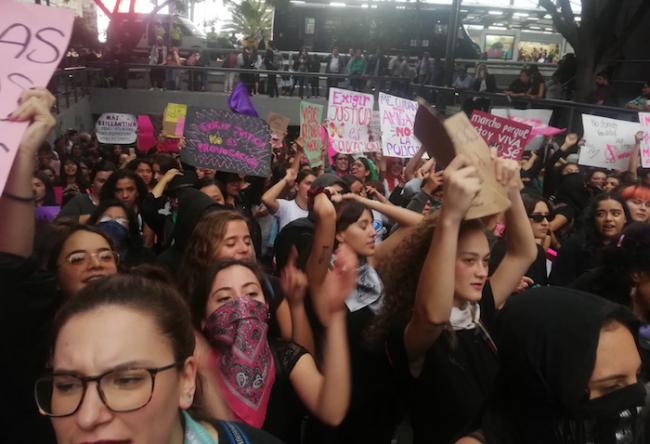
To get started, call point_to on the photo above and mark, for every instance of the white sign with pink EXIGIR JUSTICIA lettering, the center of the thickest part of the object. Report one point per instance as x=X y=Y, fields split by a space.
x=349 y=113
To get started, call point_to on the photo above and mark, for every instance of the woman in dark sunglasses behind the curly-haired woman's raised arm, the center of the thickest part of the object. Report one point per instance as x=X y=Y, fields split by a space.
x=539 y=215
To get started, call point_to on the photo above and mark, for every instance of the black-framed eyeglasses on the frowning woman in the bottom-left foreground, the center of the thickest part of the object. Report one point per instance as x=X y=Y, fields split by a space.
x=121 y=390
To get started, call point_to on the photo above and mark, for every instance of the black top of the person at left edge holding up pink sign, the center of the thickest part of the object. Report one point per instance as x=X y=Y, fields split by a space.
x=28 y=303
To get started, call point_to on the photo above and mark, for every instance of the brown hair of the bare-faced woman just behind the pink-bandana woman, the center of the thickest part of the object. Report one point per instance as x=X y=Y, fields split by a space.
x=202 y=247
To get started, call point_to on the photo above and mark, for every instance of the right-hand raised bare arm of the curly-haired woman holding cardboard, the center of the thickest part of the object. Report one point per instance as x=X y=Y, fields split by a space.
x=521 y=249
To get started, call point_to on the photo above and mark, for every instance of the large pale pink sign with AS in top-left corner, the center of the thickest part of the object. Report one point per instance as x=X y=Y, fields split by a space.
x=33 y=39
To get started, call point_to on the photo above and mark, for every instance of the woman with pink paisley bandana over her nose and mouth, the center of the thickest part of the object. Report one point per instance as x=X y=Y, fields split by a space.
x=258 y=375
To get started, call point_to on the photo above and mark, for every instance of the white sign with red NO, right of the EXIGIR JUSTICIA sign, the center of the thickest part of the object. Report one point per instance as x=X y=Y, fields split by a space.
x=397 y=116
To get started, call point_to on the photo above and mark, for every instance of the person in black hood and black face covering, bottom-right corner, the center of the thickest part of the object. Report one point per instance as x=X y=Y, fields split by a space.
x=568 y=372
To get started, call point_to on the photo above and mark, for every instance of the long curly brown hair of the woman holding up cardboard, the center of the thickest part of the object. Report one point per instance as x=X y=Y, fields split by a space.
x=400 y=273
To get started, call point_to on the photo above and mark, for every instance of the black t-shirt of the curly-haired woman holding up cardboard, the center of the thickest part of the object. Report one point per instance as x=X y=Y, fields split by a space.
x=447 y=399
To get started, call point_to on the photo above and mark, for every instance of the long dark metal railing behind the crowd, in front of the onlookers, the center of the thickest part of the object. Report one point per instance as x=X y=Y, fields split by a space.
x=71 y=84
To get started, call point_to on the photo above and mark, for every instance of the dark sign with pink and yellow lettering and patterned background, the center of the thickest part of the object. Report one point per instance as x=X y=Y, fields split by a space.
x=226 y=141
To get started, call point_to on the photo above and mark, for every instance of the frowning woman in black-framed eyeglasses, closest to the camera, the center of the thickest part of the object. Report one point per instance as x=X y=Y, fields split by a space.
x=122 y=370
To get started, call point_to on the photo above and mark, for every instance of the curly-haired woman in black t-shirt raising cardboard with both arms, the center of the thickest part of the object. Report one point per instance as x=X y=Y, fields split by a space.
x=440 y=332
